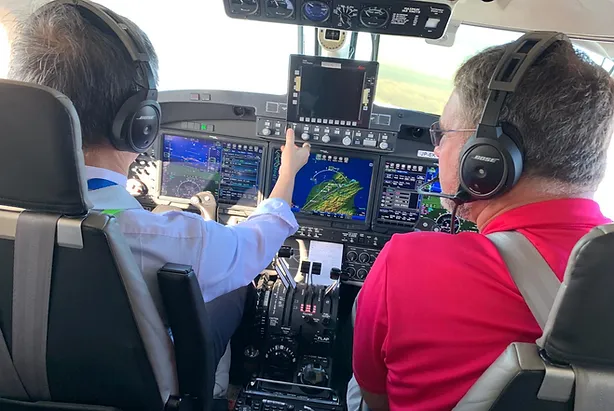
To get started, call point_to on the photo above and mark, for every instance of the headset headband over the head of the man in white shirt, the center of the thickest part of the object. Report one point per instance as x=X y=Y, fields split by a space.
x=108 y=21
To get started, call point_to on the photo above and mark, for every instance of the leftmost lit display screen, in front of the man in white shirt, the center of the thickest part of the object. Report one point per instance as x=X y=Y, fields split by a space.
x=230 y=171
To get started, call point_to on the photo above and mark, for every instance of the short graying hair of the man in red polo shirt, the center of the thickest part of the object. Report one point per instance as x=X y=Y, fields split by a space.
x=563 y=110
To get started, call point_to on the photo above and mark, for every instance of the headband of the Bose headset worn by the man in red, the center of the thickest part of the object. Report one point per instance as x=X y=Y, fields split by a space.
x=517 y=59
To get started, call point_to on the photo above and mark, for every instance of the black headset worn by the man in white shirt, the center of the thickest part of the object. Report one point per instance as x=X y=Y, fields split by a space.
x=137 y=123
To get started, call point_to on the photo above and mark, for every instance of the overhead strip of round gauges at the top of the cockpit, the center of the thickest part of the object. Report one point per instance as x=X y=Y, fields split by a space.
x=405 y=18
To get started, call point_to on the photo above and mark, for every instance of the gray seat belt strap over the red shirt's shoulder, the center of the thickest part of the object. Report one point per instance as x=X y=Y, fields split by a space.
x=533 y=276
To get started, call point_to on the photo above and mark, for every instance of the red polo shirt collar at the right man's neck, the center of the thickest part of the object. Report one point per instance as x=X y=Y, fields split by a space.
x=568 y=212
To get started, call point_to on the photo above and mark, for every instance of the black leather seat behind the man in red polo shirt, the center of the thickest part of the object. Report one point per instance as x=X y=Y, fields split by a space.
x=572 y=365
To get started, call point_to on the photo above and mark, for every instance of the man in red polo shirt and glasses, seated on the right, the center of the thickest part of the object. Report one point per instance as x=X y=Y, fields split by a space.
x=437 y=309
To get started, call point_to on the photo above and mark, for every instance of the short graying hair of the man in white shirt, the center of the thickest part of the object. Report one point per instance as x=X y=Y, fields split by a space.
x=56 y=47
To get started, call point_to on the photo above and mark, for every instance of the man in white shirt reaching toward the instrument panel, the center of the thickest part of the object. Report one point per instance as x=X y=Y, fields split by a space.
x=225 y=259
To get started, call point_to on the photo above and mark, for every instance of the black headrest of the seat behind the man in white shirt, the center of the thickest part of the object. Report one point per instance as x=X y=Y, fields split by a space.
x=42 y=166
